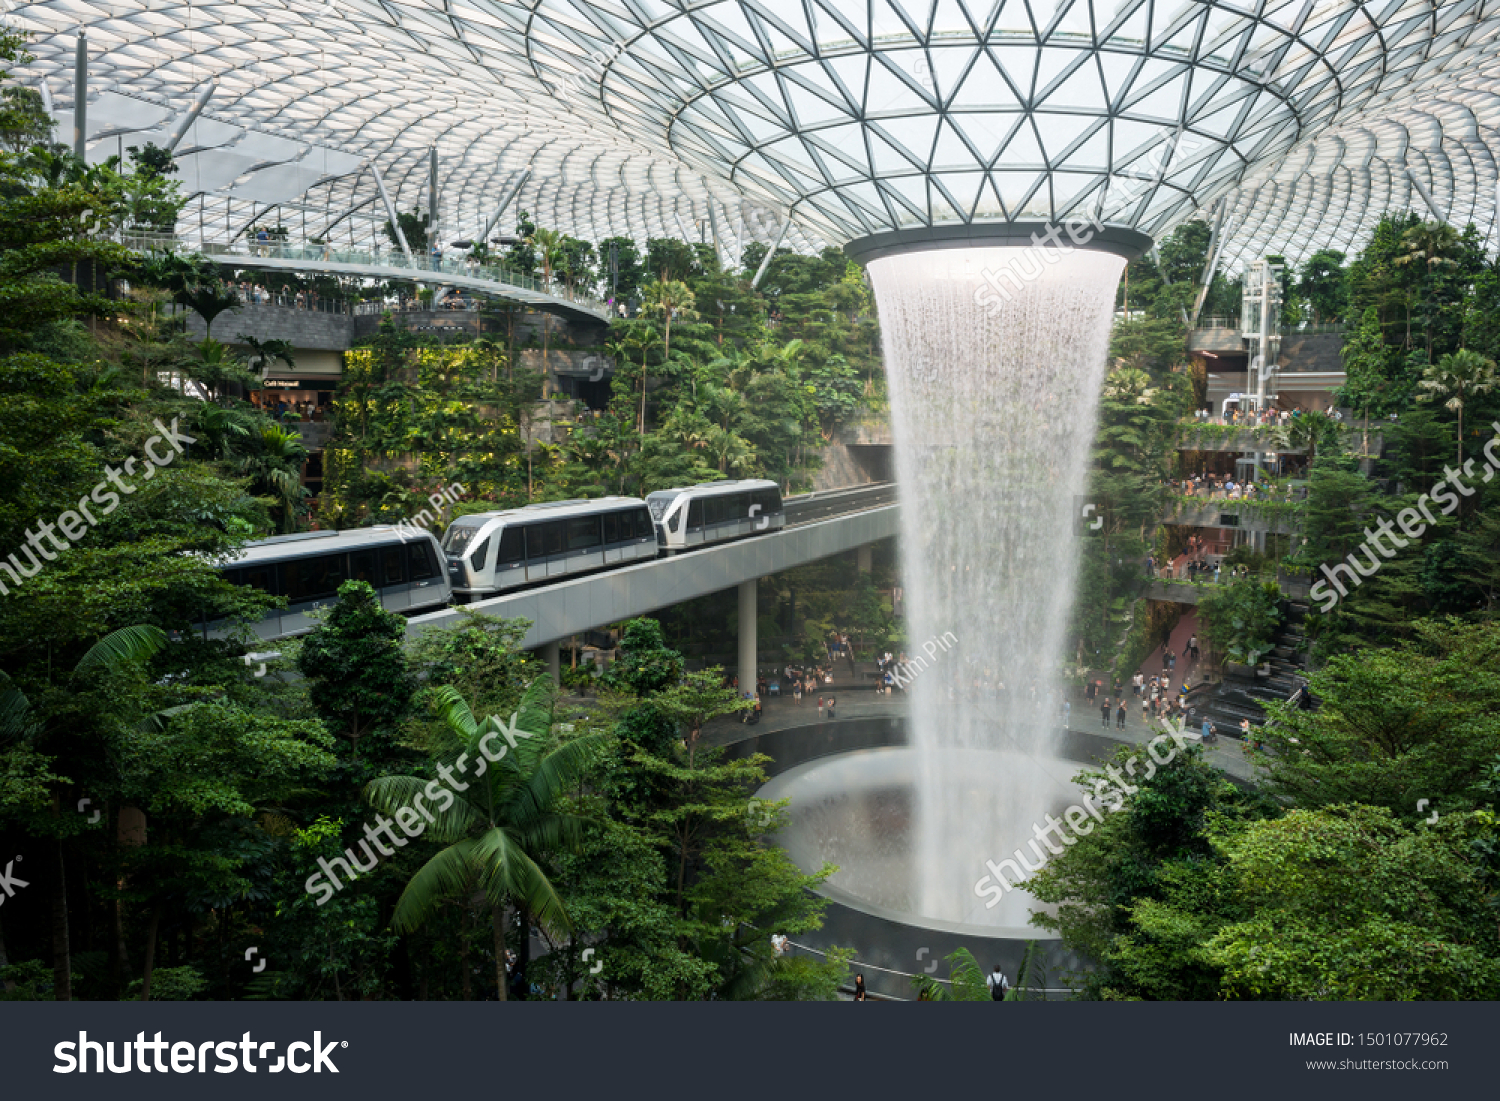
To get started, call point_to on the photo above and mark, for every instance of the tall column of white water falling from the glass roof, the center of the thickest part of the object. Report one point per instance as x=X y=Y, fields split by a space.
x=994 y=415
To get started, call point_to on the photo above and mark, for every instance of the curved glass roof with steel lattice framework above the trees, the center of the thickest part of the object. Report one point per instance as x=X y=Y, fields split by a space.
x=1294 y=122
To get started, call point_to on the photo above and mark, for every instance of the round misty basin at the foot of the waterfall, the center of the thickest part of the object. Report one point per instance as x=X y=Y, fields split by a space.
x=862 y=812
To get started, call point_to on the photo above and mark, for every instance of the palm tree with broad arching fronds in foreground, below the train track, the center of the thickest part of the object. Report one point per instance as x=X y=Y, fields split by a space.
x=496 y=830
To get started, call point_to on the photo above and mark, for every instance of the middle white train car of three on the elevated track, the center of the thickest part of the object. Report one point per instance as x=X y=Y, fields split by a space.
x=494 y=553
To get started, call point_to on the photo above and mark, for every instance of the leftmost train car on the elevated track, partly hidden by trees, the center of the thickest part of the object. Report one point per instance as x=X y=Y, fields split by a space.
x=404 y=566
